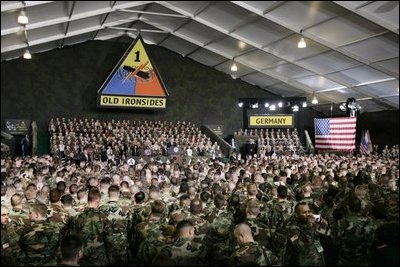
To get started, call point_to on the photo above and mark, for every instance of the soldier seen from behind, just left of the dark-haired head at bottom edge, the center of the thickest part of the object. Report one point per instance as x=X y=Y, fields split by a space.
x=39 y=241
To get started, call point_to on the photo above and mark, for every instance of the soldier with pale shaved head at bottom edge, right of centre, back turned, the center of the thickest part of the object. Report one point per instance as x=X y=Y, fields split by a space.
x=249 y=251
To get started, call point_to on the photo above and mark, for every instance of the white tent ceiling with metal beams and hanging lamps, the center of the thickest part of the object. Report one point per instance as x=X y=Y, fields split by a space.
x=352 y=46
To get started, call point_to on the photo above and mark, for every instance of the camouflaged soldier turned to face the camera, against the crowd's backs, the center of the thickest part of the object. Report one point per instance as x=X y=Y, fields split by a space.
x=303 y=246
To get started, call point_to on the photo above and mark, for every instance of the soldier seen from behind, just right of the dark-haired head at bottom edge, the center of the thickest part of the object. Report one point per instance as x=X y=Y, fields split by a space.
x=91 y=226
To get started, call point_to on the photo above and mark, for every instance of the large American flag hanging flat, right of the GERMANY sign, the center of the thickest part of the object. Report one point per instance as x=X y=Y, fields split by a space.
x=335 y=134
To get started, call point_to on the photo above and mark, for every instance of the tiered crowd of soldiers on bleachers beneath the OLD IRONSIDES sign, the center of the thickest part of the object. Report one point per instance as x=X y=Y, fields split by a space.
x=118 y=140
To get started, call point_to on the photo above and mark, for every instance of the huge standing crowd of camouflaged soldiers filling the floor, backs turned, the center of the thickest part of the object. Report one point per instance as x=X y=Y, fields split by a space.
x=315 y=210
